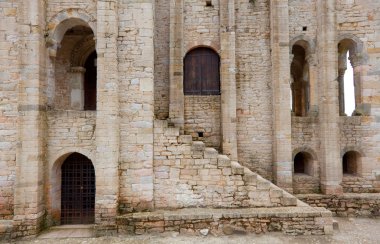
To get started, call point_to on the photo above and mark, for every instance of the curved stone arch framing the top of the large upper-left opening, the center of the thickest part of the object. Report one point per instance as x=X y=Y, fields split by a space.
x=63 y=21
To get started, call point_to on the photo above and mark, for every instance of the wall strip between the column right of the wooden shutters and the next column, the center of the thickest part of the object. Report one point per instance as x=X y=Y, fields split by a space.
x=254 y=86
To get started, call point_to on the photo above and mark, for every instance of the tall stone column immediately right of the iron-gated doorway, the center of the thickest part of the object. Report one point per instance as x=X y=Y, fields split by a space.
x=107 y=119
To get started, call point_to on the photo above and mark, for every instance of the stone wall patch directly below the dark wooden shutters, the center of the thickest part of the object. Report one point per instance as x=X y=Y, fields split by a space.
x=202 y=114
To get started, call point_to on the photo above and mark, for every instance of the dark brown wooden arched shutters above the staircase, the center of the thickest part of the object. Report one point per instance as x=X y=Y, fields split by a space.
x=201 y=72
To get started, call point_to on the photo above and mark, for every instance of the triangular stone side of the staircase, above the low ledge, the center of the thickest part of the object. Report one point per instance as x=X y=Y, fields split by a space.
x=188 y=174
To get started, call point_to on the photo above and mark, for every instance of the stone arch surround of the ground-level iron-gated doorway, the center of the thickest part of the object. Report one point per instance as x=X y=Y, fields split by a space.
x=55 y=183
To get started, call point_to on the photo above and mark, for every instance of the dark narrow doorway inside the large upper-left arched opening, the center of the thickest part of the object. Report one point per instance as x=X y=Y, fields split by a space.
x=90 y=83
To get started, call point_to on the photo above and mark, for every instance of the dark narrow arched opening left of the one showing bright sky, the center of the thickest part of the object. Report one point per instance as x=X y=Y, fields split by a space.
x=300 y=85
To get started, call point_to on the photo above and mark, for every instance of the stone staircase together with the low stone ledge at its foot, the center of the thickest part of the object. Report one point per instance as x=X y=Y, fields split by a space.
x=198 y=190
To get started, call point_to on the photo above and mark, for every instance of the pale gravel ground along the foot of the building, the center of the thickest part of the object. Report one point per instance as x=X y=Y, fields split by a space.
x=352 y=230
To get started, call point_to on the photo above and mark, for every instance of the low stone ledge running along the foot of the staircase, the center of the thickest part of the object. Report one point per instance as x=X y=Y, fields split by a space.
x=290 y=220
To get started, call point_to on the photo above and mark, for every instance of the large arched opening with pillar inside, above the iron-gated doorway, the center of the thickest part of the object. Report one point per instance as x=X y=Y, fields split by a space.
x=75 y=69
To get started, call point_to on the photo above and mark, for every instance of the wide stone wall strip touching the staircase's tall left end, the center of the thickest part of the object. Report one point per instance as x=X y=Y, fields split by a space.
x=136 y=87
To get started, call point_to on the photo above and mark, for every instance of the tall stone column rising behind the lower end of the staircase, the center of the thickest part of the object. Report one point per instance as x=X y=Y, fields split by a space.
x=282 y=151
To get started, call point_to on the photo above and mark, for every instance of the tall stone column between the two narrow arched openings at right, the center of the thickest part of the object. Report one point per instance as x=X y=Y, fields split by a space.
x=331 y=162
